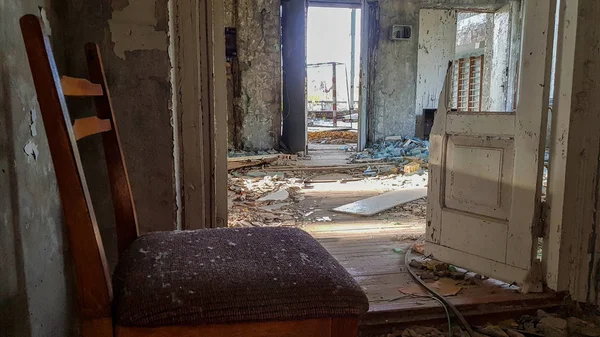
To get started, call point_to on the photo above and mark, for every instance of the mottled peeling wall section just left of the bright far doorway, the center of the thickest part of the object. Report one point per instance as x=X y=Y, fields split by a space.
x=257 y=99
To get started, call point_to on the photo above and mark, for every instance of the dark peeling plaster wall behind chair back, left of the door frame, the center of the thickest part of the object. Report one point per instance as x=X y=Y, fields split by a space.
x=133 y=39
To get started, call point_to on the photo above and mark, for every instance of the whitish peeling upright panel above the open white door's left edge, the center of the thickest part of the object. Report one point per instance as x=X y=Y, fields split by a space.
x=437 y=46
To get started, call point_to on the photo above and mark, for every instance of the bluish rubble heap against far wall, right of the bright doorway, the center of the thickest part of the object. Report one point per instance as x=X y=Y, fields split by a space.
x=397 y=149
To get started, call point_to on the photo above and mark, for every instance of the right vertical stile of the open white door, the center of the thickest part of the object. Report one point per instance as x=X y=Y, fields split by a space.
x=530 y=129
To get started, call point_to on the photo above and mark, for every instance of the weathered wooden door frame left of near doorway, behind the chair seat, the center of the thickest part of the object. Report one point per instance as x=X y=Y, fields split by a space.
x=200 y=112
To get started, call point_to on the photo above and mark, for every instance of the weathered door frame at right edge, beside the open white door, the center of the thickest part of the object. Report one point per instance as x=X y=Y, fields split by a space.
x=571 y=246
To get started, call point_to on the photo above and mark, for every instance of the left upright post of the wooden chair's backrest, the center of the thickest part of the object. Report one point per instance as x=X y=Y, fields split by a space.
x=92 y=275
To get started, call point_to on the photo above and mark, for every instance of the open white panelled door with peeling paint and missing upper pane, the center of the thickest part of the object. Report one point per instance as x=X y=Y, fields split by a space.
x=486 y=170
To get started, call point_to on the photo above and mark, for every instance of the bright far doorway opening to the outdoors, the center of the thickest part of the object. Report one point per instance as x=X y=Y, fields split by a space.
x=333 y=68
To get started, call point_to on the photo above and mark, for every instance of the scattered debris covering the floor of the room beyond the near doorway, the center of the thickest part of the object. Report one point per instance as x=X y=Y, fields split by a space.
x=269 y=189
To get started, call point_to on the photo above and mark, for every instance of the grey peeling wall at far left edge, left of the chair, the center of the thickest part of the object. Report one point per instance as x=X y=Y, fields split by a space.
x=35 y=275
